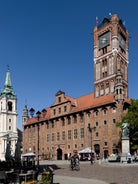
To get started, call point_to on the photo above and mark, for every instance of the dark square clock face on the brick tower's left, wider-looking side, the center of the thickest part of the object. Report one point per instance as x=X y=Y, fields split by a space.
x=104 y=40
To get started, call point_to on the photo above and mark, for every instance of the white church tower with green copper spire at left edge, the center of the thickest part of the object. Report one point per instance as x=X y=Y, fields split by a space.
x=8 y=117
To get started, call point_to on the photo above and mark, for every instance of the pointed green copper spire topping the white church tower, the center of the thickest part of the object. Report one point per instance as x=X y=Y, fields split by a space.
x=8 y=86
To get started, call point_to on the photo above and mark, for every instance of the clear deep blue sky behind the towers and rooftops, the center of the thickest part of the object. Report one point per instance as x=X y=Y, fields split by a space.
x=48 y=46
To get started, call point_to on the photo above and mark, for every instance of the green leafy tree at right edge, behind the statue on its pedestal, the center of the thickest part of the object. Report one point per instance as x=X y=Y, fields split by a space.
x=131 y=118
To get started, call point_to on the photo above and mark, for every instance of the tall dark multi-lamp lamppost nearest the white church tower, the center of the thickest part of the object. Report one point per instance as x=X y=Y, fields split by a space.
x=32 y=111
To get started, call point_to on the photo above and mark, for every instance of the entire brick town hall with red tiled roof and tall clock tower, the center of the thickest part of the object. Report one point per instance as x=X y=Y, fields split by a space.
x=62 y=129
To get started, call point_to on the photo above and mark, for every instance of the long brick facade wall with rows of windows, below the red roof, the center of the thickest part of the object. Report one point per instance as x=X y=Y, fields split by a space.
x=55 y=132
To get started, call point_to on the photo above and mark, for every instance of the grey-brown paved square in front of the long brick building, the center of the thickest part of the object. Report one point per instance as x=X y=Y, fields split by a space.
x=111 y=173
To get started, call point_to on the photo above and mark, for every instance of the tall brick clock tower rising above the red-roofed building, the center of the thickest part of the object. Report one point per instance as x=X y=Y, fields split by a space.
x=111 y=58
